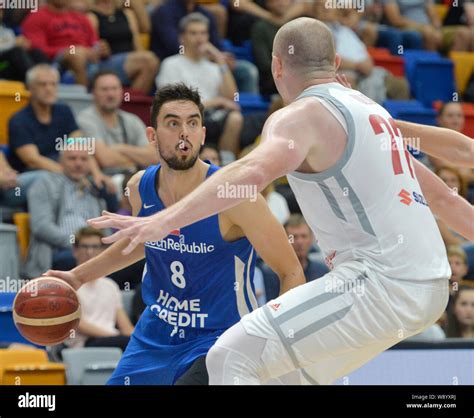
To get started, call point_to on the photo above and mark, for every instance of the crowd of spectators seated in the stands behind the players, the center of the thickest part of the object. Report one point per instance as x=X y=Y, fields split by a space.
x=100 y=43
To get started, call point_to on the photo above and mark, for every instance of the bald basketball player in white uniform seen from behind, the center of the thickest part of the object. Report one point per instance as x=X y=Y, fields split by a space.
x=366 y=201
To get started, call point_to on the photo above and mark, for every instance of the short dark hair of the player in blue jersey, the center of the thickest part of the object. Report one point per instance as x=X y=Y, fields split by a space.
x=175 y=92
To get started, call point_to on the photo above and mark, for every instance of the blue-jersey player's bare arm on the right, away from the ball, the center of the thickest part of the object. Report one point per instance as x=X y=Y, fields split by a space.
x=269 y=239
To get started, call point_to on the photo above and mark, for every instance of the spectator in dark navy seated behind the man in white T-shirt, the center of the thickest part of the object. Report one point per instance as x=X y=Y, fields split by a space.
x=165 y=39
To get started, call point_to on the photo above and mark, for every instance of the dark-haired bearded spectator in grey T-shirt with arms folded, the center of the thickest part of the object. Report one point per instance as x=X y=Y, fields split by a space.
x=121 y=144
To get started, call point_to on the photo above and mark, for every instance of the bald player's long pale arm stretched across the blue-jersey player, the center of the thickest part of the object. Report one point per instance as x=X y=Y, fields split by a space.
x=283 y=148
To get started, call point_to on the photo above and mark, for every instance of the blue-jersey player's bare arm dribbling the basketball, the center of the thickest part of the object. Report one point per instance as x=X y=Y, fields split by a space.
x=110 y=260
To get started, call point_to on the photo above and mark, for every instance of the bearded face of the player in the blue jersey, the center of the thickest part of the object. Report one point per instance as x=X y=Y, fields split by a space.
x=180 y=134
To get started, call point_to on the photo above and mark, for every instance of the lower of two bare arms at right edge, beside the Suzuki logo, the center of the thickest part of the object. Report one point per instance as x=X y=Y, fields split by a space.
x=452 y=209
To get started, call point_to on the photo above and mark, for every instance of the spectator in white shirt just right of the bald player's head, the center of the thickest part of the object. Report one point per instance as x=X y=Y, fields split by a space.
x=356 y=63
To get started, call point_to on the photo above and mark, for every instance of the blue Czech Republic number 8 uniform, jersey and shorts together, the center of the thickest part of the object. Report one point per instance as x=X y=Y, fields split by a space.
x=195 y=286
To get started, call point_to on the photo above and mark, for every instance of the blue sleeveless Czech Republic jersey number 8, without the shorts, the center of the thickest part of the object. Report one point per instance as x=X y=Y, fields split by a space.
x=194 y=282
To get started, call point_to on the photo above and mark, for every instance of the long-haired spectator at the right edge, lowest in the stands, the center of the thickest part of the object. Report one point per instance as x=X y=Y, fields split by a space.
x=460 y=321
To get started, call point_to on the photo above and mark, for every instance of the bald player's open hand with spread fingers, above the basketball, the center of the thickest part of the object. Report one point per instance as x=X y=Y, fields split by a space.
x=138 y=230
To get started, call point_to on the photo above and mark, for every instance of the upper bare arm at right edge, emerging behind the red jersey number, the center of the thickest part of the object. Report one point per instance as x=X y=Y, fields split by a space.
x=446 y=144
